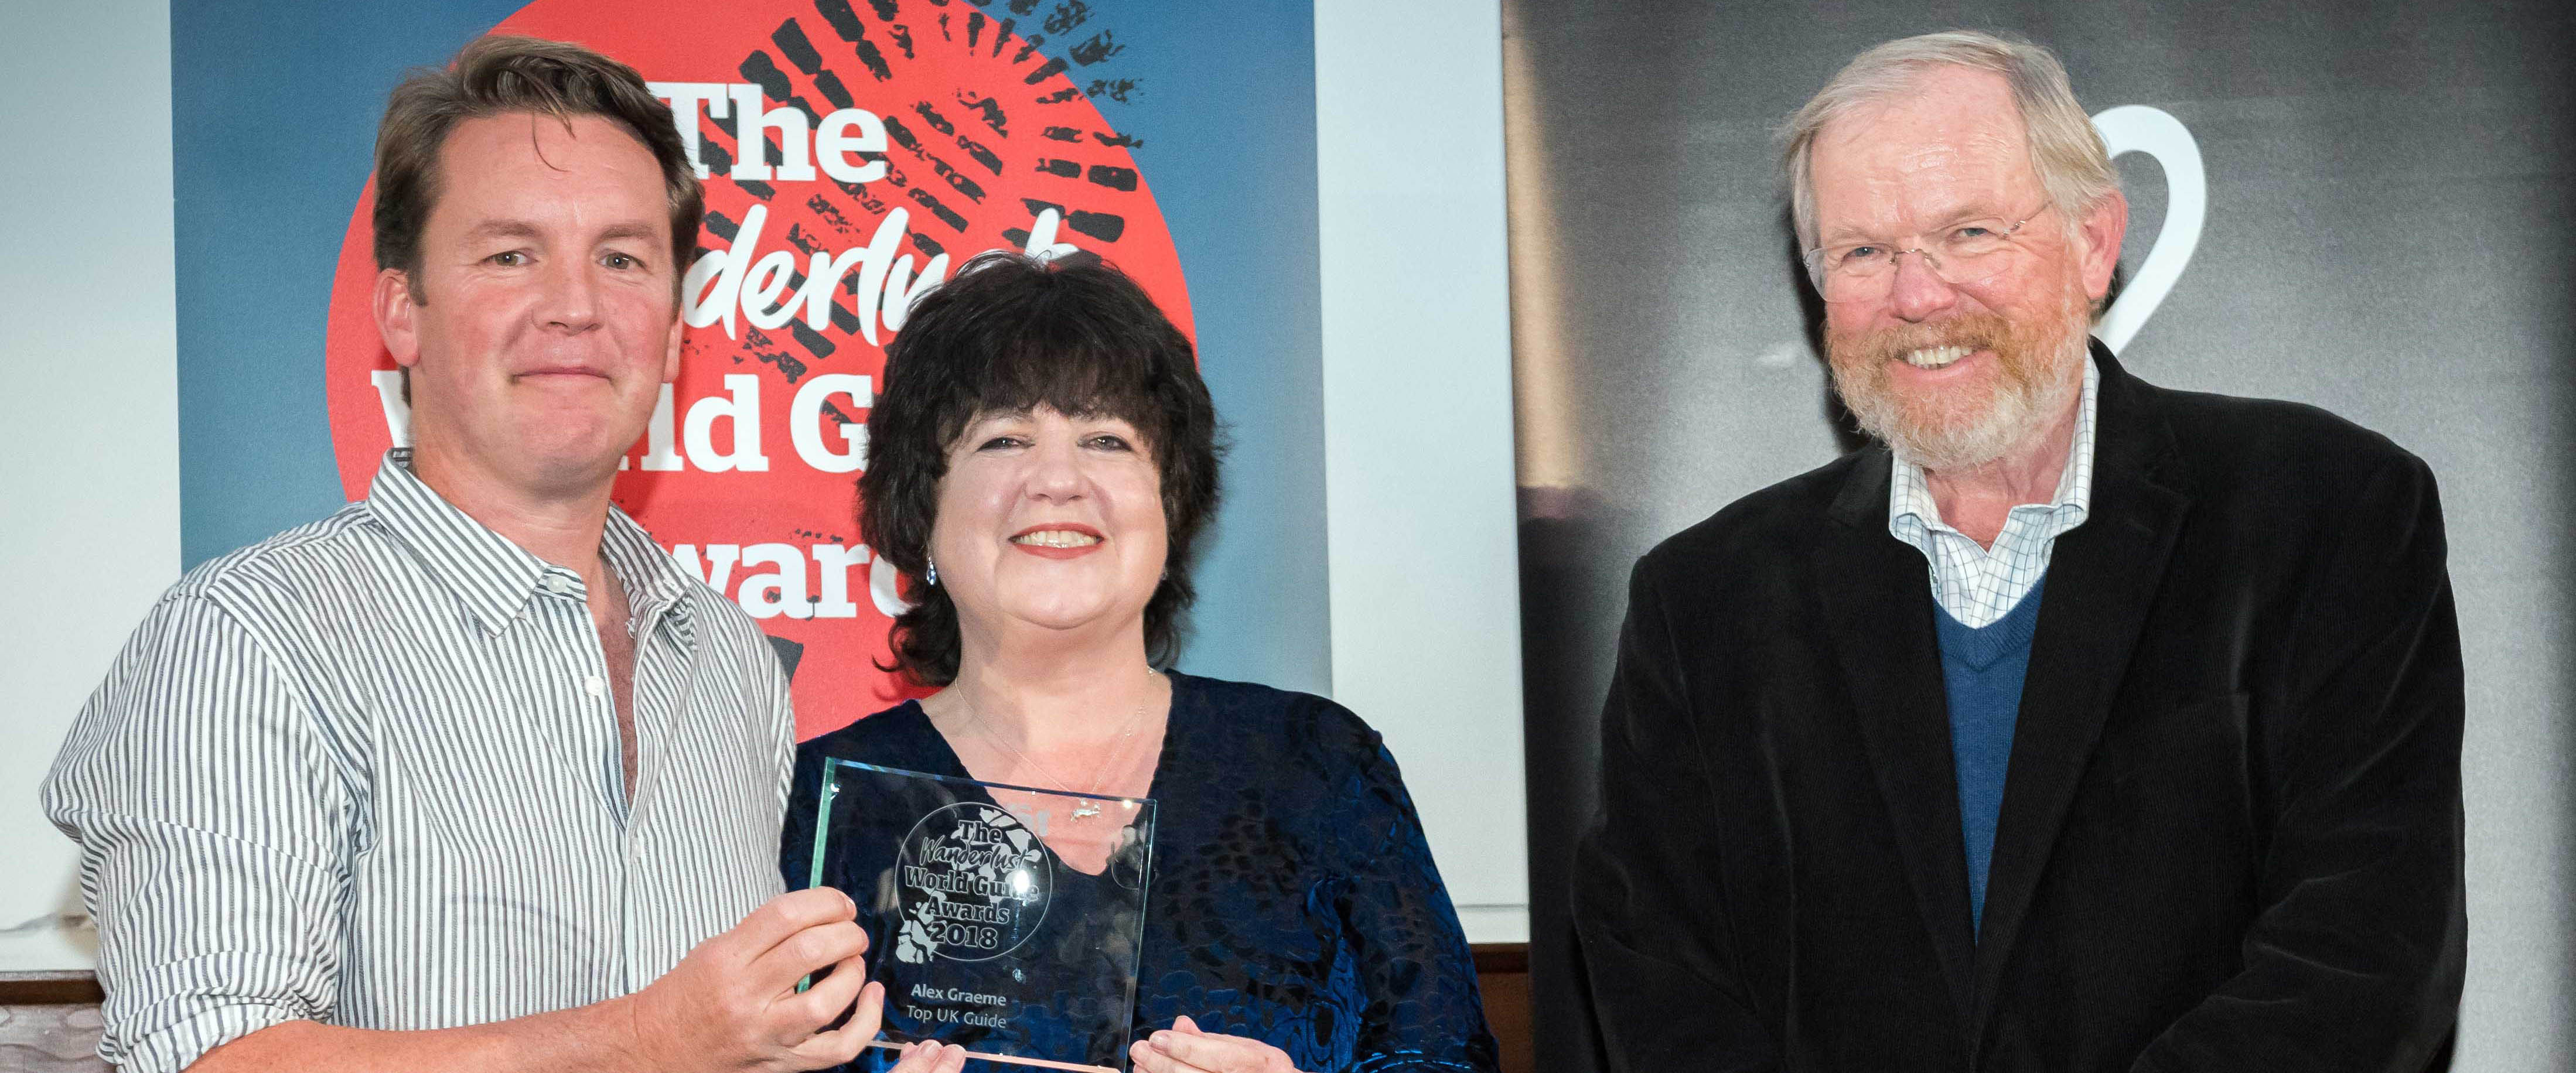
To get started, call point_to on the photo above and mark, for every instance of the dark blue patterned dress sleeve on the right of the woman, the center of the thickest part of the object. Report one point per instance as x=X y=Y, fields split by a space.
x=1413 y=961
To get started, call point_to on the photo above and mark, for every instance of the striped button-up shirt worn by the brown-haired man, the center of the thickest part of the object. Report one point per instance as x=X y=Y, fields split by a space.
x=367 y=773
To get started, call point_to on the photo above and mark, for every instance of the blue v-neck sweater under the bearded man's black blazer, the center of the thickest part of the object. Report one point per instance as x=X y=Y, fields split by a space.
x=1982 y=673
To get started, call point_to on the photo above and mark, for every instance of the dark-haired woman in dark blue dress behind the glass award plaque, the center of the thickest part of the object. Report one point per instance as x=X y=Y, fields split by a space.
x=1039 y=467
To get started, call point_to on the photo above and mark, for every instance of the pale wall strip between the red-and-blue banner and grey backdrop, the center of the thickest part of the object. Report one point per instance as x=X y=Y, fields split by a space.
x=1418 y=426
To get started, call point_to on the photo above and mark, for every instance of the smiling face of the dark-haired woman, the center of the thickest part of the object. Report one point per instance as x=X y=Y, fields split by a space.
x=1050 y=521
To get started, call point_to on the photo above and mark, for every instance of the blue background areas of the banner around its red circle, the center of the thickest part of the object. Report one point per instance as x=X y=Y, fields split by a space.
x=274 y=125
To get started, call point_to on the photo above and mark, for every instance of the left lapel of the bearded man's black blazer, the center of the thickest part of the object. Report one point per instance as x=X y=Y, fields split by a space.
x=1879 y=611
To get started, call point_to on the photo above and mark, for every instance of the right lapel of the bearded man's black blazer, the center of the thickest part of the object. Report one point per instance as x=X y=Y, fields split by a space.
x=2103 y=580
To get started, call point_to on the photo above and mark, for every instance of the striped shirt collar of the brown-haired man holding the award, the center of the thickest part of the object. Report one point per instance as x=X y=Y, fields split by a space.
x=496 y=578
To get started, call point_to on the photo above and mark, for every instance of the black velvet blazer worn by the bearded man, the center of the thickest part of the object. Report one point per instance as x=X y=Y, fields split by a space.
x=2232 y=820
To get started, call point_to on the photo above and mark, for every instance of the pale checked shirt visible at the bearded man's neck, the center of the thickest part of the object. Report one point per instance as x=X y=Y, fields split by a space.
x=1980 y=585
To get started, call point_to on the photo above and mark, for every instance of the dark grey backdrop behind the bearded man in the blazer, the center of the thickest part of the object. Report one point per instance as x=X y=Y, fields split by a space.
x=2389 y=235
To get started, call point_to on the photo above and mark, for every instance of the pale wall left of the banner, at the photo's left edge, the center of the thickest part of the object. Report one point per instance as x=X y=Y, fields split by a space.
x=89 y=418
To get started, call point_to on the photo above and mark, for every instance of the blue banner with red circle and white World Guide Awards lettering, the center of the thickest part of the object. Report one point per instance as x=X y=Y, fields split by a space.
x=854 y=156
